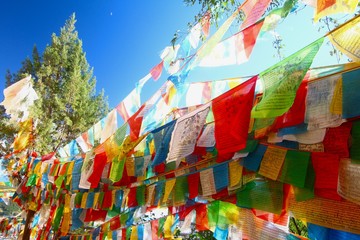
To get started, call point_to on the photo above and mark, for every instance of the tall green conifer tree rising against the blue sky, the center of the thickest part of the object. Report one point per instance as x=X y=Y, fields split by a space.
x=68 y=104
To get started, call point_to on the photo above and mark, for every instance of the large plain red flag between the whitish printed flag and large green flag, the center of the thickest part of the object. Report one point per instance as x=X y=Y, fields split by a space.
x=232 y=117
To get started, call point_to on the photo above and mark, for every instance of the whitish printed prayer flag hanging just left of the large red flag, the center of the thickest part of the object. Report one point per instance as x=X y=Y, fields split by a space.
x=185 y=134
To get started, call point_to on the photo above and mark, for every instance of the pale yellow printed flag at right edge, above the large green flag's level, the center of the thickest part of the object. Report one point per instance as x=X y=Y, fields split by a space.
x=347 y=39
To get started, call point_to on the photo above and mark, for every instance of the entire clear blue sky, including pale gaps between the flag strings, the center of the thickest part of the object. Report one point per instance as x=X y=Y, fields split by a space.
x=123 y=39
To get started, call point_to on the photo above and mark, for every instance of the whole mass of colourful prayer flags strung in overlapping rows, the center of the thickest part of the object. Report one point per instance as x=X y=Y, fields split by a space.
x=175 y=157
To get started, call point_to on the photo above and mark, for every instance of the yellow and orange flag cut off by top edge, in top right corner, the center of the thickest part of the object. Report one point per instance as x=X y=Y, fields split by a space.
x=325 y=7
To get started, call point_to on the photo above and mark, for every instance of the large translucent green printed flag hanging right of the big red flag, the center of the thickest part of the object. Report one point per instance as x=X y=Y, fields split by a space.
x=282 y=81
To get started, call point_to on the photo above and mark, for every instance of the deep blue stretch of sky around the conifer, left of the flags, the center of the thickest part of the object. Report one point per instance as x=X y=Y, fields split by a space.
x=122 y=39
